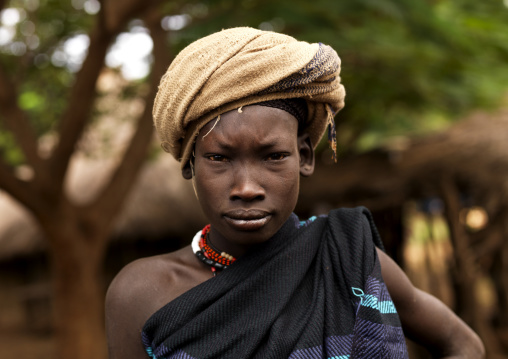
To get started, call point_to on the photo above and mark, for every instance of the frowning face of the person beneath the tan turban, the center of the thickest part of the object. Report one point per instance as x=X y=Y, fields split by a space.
x=247 y=174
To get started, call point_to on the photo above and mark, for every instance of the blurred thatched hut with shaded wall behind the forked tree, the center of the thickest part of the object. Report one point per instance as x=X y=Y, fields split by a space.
x=161 y=215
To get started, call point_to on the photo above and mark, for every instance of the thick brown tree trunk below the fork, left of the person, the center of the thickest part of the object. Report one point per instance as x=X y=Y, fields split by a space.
x=78 y=305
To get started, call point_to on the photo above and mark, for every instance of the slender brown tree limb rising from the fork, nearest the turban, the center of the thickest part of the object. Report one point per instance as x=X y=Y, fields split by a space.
x=115 y=192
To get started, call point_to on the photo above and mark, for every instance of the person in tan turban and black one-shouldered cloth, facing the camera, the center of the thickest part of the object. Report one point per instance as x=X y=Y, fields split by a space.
x=242 y=110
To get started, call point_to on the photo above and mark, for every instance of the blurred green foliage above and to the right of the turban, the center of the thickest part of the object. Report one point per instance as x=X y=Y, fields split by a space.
x=408 y=66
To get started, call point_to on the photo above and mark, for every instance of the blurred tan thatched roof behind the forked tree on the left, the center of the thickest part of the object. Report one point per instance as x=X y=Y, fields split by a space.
x=162 y=202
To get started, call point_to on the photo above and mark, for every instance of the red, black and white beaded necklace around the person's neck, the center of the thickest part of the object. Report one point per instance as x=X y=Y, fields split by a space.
x=209 y=255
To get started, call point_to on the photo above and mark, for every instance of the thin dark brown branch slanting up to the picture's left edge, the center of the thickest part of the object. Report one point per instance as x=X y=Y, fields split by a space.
x=15 y=120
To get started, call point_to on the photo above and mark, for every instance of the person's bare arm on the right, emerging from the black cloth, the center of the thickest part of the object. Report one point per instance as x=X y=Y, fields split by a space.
x=427 y=320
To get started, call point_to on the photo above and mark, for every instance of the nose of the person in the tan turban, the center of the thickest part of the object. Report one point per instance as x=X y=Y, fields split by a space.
x=247 y=185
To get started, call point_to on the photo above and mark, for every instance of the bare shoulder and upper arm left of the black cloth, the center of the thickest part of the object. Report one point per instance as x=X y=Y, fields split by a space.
x=139 y=290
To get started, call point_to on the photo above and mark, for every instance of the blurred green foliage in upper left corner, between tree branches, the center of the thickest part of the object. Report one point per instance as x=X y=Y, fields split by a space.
x=43 y=84
